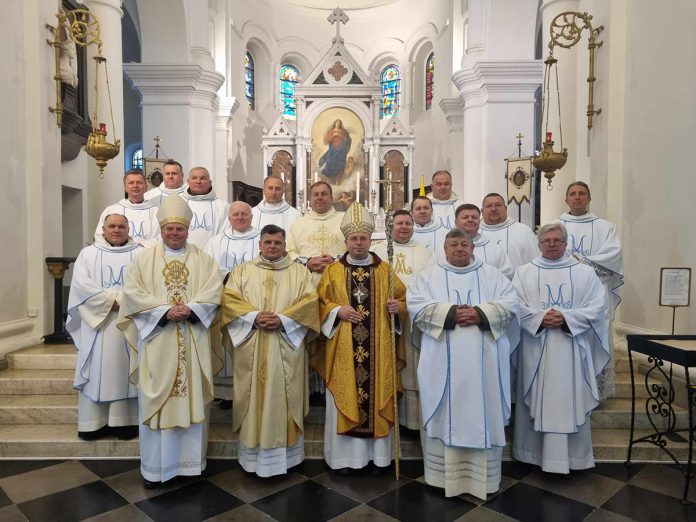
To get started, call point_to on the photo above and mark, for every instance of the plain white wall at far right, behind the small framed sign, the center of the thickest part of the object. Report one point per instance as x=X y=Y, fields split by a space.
x=659 y=187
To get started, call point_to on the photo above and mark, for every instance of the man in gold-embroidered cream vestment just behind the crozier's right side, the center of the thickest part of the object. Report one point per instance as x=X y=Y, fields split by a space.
x=409 y=259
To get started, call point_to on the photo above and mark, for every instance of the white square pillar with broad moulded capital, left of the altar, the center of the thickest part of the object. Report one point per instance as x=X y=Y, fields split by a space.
x=180 y=105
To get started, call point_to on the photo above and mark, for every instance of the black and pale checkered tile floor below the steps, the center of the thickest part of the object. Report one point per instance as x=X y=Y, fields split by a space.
x=111 y=490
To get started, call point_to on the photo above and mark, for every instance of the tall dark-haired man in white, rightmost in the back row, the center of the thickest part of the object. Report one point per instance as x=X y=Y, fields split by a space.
x=595 y=242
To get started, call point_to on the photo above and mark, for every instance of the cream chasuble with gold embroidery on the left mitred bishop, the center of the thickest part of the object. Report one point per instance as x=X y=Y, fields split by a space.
x=175 y=367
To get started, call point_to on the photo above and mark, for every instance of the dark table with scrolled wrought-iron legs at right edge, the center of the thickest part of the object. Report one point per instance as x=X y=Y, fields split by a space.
x=675 y=349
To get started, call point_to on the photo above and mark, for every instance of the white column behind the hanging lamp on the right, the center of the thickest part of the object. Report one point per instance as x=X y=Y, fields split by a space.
x=577 y=166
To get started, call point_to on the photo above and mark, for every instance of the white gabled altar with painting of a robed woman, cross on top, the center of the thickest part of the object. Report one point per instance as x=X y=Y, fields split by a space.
x=338 y=136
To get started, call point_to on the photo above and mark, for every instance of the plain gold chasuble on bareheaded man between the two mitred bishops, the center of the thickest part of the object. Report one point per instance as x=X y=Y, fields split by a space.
x=271 y=396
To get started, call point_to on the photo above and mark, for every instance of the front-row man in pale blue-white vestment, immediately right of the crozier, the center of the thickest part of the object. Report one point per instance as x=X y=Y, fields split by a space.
x=466 y=312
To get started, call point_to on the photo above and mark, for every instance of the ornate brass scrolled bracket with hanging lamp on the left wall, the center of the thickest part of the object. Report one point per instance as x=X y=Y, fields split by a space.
x=81 y=27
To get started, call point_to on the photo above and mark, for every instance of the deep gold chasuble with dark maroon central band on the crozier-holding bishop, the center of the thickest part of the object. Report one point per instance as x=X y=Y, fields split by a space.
x=358 y=363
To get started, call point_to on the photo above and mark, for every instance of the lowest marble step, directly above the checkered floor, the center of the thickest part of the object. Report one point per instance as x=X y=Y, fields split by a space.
x=60 y=441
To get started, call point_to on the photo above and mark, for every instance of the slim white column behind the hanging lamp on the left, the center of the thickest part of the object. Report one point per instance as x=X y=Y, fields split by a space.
x=109 y=189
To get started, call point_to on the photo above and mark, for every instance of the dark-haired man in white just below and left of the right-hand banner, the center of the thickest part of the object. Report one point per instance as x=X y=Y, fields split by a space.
x=516 y=239
